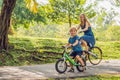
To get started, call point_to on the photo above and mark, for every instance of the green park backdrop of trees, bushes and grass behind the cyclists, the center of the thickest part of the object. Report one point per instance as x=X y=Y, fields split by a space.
x=38 y=29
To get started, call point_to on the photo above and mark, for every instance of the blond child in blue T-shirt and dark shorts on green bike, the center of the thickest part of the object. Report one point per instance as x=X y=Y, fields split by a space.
x=76 y=47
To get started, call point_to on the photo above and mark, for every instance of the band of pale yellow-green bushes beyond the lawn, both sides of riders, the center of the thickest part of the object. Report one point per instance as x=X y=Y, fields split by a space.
x=110 y=33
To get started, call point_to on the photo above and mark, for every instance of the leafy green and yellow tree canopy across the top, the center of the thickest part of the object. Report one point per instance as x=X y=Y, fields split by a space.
x=53 y=12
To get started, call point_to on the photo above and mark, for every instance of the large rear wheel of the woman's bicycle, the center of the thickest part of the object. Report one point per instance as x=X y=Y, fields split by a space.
x=96 y=57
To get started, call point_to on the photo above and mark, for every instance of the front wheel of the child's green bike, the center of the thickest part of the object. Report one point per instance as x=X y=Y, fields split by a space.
x=61 y=66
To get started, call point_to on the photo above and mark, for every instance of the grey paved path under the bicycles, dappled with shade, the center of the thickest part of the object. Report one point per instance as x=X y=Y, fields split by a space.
x=45 y=71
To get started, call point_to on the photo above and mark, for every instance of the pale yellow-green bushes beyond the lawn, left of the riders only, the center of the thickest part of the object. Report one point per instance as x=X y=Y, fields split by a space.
x=49 y=31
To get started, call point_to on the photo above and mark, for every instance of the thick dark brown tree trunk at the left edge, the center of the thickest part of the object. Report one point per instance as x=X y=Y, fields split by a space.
x=6 y=12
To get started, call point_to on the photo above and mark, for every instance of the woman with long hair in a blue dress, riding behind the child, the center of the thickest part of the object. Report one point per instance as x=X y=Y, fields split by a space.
x=87 y=40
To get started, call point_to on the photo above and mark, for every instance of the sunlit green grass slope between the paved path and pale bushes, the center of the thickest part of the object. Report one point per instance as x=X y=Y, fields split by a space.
x=35 y=50
